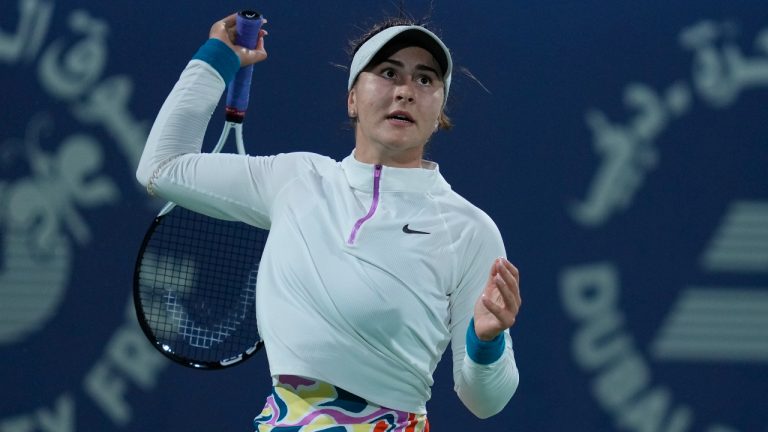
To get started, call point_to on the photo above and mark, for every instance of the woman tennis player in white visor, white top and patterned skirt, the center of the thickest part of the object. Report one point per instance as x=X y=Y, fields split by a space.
x=373 y=264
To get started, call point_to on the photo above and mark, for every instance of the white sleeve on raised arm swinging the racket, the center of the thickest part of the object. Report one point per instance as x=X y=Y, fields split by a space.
x=225 y=186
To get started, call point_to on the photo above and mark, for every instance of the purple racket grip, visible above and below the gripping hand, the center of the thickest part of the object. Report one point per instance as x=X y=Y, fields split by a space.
x=248 y=24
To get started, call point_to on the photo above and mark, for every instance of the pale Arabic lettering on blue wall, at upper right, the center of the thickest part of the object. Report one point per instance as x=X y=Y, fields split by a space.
x=719 y=76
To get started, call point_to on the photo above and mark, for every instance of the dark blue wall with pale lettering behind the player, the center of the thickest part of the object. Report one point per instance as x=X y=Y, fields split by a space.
x=620 y=146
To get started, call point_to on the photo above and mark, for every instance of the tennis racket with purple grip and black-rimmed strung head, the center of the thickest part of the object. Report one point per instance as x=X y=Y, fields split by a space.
x=194 y=284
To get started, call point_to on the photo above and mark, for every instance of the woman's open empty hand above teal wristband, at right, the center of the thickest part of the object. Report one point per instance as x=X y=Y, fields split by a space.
x=497 y=307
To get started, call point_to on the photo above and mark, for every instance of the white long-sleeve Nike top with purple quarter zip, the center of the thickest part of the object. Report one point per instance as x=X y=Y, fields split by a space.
x=344 y=294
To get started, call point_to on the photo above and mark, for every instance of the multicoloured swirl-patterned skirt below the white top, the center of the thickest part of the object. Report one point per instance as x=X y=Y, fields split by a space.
x=303 y=405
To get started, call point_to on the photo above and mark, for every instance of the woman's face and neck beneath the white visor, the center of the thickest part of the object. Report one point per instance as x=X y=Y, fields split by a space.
x=397 y=104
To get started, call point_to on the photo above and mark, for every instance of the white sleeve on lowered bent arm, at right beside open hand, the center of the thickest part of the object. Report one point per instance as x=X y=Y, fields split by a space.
x=485 y=389
